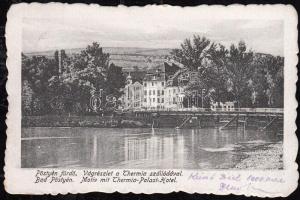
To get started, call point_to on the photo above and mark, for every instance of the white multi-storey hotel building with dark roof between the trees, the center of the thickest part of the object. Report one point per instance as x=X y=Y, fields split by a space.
x=156 y=92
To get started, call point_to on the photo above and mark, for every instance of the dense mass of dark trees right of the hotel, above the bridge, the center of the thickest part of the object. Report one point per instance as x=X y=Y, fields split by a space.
x=232 y=74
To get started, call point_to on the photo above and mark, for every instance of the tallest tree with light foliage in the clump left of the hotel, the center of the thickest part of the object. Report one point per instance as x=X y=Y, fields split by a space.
x=85 y=72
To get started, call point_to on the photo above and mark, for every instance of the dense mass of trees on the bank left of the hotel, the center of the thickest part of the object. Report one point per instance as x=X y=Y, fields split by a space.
x=47 y=89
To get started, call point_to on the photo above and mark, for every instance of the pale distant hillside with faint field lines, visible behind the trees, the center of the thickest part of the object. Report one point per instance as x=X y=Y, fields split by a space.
x=124 y=57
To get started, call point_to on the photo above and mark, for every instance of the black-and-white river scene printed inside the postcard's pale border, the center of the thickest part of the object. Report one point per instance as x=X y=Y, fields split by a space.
x=145 y=93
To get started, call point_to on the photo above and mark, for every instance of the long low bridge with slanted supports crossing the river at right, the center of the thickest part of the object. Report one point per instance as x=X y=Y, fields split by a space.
x=262 y=118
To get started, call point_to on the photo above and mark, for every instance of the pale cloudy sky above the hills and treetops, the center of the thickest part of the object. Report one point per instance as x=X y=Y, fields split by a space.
x=130 y=30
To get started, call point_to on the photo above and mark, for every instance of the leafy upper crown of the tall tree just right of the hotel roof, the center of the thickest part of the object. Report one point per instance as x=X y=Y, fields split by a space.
x=192 y=53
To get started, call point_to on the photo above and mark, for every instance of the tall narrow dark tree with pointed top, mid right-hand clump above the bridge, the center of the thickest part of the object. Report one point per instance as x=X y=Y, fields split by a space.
x=239 y=72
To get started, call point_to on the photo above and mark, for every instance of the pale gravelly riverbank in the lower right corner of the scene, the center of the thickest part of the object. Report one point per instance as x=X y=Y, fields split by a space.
x=265 y=156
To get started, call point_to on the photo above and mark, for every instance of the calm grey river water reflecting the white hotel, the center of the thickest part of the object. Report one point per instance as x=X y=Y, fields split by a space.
x=140 y=148
